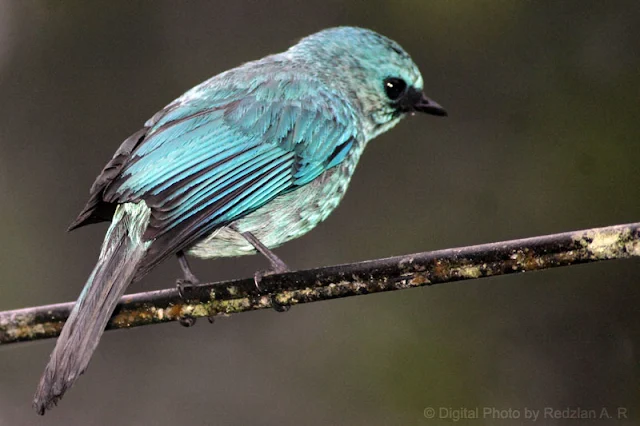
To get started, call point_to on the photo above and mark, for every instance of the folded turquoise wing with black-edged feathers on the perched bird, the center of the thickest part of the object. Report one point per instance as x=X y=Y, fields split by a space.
x=216 y=155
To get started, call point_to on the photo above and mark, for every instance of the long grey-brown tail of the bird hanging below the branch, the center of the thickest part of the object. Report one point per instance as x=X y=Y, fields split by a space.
x=122 y=251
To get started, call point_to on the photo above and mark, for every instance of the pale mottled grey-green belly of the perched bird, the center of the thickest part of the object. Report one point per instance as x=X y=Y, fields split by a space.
x=284 y=218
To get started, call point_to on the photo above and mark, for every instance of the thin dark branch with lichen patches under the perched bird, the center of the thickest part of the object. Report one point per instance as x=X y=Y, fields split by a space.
x=292 y=288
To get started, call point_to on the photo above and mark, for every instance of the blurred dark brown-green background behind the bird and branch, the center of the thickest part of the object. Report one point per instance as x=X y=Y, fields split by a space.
x=543 y=136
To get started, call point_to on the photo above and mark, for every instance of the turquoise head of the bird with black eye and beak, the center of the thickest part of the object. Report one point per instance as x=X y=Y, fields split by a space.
x=376 y=73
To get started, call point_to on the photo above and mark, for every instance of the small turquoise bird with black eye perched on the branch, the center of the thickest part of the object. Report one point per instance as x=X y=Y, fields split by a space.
x=241 y=163
